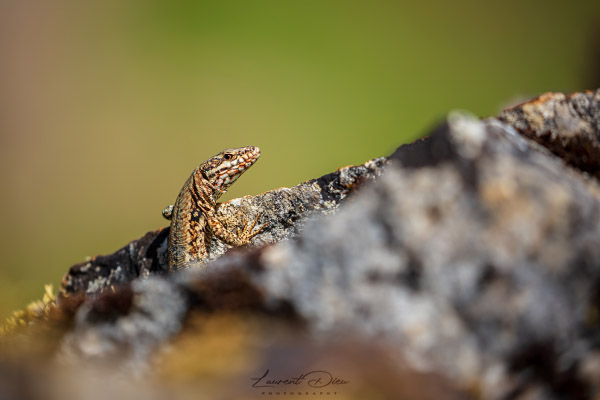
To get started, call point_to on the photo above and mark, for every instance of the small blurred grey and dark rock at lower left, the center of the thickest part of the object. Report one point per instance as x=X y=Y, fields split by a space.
x=137 y=318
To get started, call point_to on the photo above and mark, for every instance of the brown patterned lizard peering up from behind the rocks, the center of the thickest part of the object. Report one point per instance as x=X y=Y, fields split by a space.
x=193 y=216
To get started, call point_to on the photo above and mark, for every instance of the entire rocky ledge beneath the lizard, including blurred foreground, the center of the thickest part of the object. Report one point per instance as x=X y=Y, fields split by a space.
x=467 y=265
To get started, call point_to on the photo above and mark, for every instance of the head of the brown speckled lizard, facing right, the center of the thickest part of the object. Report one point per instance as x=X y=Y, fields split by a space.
x=224 y=168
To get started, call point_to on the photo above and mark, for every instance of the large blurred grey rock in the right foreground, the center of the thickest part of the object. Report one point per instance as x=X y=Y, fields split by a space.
x=480 y=260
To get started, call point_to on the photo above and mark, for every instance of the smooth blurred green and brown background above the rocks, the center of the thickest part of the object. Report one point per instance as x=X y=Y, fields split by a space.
x=106 y=107
